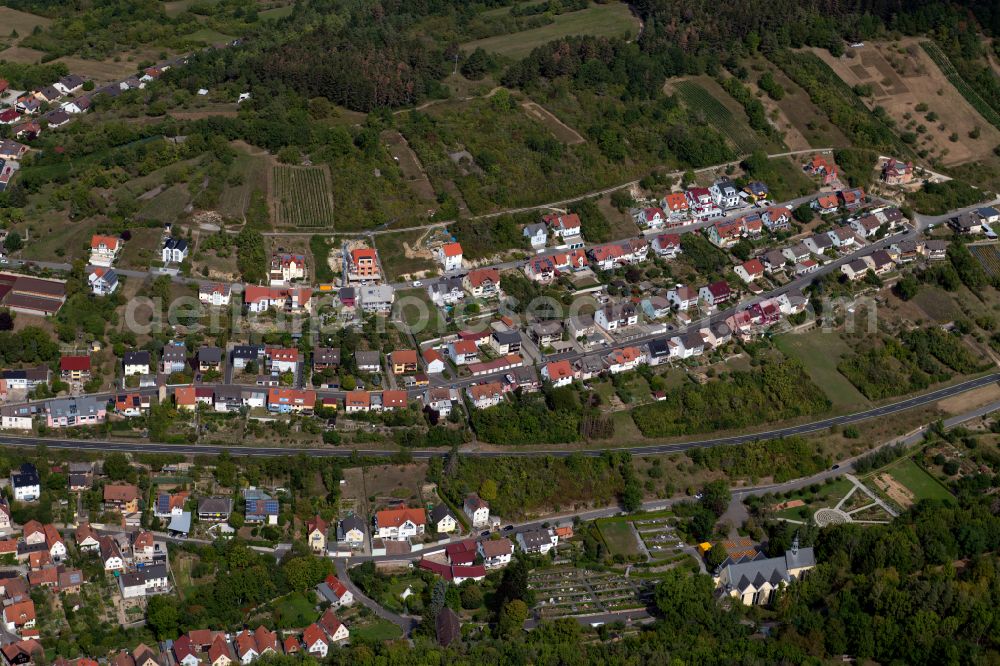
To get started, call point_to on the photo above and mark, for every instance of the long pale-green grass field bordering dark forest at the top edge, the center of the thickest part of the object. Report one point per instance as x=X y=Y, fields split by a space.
x=609 y=20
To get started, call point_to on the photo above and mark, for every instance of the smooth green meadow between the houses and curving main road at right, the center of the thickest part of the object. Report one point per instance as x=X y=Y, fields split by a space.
x=820 y=352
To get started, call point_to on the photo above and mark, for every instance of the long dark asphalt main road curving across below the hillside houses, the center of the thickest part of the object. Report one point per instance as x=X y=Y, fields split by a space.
x=801 y=429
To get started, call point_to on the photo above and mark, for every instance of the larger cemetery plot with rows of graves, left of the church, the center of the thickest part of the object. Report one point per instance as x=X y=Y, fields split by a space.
x=568 y=591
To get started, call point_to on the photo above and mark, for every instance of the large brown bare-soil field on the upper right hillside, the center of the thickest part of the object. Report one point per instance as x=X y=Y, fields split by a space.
x=901 y=77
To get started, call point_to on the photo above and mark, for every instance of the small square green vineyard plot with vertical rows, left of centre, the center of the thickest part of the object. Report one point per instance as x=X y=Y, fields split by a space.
x=302 y=197
